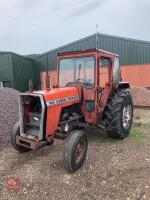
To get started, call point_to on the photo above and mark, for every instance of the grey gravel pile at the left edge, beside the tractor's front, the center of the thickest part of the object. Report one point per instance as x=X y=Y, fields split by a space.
x=8 y=114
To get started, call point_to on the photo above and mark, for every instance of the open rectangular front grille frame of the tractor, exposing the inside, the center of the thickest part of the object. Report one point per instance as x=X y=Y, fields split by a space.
x=32 y=110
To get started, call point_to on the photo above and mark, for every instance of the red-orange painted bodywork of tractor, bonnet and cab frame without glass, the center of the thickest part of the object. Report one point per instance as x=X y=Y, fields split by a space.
x=87 y=94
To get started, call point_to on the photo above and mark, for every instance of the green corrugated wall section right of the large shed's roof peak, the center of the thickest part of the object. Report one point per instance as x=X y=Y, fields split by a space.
x=130 y=51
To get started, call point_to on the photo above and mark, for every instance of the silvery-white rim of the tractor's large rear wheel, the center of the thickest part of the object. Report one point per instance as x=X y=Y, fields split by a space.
x=127 y=115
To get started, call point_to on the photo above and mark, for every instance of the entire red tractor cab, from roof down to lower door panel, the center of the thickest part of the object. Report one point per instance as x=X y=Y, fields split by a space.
x=95 y=72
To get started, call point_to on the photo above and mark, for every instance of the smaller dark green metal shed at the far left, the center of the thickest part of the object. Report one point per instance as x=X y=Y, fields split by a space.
x=16 y=69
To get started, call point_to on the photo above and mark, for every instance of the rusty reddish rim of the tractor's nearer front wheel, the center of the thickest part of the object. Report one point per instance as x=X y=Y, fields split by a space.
x=79 y=152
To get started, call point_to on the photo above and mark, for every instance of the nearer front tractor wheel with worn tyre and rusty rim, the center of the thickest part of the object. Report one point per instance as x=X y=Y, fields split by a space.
x=75 y=150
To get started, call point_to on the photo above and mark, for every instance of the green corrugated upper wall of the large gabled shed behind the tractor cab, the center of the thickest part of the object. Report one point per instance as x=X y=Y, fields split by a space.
x=130 y=51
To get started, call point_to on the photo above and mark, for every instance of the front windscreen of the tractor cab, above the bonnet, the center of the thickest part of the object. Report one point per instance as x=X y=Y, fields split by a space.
x=77 y=70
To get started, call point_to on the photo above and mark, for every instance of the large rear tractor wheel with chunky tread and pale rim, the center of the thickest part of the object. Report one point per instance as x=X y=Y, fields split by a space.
x=118 y=114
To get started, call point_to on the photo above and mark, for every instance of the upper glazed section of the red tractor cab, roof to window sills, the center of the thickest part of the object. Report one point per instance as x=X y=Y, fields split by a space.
x=84 y=67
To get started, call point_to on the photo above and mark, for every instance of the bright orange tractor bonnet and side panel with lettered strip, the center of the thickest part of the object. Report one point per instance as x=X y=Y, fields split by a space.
x=57 y=99
